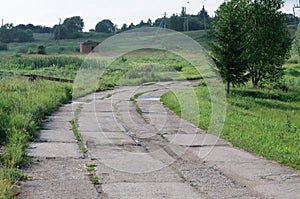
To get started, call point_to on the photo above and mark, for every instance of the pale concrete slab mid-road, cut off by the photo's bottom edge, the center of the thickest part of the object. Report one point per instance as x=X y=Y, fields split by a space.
x=149 y=190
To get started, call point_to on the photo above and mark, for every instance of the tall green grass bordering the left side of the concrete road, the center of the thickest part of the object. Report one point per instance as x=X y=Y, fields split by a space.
x=23 y=105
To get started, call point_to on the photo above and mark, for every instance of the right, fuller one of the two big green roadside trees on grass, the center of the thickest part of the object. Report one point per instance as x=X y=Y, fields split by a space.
x=268 y=41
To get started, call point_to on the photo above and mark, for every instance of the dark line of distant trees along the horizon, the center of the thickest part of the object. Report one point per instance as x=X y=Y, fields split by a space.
x=73 y=27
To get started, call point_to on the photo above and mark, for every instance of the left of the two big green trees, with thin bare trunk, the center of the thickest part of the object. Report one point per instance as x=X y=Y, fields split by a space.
x=228 y=48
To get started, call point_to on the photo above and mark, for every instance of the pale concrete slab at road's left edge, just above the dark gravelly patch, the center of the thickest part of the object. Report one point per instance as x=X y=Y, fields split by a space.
x=54 y=150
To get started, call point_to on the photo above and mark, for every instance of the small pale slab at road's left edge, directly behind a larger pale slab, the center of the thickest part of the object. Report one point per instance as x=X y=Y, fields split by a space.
x=57 y=136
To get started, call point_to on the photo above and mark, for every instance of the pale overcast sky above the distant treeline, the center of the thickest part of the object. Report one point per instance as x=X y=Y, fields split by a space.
x=48 y=12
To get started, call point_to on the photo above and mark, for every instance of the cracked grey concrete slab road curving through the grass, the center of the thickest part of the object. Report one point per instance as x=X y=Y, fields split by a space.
x=142 y=150
